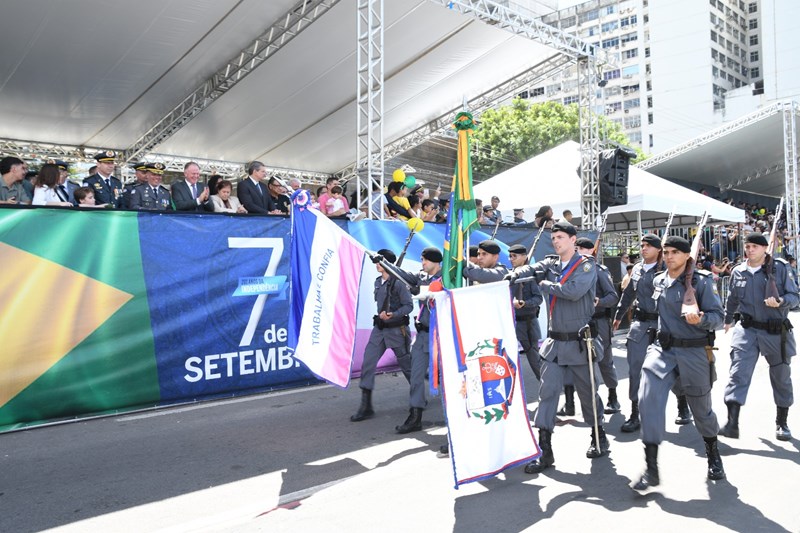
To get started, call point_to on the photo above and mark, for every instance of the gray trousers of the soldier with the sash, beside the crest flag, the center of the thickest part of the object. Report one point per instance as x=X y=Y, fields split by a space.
x=552 y=383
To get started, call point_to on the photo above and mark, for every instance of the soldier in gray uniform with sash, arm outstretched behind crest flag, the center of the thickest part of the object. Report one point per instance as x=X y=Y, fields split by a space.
x=568 y=280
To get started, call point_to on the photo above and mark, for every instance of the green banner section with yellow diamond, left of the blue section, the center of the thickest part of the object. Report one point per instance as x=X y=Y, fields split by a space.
x=75 y=322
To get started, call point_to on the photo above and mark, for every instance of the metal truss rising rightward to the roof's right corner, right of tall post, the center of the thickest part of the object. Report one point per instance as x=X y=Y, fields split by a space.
x=441 y=125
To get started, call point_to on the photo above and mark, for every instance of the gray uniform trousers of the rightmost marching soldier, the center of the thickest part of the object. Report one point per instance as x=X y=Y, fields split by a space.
x=745 y=347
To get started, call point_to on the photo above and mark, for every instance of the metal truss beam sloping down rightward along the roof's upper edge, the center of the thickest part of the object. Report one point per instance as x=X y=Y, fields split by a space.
x=527 y=25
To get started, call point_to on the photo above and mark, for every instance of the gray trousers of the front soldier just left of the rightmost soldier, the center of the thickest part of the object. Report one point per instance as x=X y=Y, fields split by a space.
x=661 y=369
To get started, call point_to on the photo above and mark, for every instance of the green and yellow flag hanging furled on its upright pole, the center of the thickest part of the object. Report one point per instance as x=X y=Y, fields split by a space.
x=462 y=216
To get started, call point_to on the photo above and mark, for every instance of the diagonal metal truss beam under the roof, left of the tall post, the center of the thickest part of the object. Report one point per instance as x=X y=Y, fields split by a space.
x=291 y=24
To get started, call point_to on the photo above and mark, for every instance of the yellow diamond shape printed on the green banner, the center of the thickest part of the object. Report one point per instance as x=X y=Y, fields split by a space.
x=47 y=310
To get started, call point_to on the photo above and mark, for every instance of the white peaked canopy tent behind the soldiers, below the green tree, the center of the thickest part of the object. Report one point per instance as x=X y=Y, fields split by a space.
x=551 y=178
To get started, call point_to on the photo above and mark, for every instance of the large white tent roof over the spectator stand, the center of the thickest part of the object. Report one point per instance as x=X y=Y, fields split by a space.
x=101 y=73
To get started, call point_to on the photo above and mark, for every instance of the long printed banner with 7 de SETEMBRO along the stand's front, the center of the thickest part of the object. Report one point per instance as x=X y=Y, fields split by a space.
x=112 y=311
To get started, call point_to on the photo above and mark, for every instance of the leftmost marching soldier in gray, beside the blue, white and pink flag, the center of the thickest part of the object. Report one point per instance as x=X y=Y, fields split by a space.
x=390 y=331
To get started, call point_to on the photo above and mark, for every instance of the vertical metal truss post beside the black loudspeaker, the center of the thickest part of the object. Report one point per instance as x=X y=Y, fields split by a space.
x=590 y=144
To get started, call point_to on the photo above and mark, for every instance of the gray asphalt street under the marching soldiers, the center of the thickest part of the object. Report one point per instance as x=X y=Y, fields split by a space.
x=292 y=461
